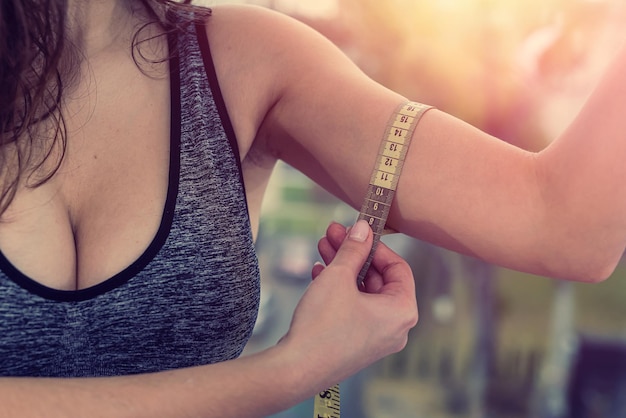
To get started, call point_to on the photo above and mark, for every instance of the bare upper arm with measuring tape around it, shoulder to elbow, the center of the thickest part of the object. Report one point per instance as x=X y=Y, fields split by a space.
x=460 y=188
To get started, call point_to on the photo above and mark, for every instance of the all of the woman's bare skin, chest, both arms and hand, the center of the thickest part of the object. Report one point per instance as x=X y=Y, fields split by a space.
x=462 y=189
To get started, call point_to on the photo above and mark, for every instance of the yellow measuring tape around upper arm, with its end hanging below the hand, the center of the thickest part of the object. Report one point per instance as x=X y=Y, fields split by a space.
x=375 y=209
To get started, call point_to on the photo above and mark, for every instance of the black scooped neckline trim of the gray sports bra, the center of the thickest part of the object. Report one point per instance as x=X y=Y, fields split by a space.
x=166 y=220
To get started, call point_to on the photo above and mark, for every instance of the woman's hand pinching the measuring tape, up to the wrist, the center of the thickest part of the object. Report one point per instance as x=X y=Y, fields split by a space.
x=341 y=328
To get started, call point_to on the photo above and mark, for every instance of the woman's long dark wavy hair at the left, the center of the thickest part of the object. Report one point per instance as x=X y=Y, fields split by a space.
x=34 y=57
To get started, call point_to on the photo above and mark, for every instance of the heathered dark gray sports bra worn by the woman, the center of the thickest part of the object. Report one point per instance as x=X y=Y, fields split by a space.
x=191 y=298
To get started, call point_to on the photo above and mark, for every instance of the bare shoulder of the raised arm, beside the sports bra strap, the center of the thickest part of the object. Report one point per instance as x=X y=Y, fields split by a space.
x=259 y=55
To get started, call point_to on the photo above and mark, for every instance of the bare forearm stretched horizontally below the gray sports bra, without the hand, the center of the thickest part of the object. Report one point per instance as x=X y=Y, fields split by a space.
x=253 y=386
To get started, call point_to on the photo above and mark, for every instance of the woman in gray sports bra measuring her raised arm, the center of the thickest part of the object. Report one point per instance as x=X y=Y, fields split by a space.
x=126 y=236
